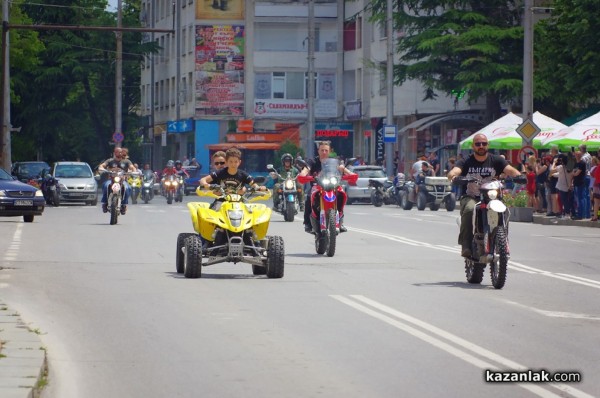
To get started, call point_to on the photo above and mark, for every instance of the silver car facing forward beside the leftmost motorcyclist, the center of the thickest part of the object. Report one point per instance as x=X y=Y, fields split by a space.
x=77 y=182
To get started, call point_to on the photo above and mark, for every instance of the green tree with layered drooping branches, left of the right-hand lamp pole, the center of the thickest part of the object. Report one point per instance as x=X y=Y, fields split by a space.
x=459 y=46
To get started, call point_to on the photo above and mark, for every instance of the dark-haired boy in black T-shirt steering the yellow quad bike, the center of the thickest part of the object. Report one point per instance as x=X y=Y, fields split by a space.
x=232 y=177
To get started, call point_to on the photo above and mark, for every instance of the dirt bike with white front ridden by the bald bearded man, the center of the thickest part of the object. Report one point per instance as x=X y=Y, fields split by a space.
x=490 y=232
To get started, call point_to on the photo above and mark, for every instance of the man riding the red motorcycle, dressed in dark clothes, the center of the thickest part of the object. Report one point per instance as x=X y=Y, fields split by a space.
x=314 y=168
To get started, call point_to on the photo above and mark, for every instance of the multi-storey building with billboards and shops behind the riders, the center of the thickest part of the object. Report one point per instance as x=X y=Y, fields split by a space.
x=237 y=74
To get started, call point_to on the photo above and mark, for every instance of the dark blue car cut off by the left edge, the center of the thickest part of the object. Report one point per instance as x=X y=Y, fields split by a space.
x=19 y=199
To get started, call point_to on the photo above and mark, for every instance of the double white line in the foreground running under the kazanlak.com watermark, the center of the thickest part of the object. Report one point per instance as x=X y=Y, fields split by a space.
x=383 y=311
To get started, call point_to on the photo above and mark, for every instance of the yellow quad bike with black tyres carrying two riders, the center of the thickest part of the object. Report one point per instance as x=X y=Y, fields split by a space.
x=236 y=232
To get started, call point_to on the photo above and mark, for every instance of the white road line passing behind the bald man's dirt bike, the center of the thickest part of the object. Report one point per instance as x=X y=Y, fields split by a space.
x=513 y=264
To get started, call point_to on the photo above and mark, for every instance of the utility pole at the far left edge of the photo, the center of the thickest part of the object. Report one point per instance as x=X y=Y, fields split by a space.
x=5 y=108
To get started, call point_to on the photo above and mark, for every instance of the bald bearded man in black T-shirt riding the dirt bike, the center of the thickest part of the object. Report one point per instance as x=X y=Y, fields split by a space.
x=483 y=166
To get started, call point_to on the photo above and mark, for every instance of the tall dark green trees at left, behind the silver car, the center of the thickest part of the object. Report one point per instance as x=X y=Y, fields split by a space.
x=67 y=108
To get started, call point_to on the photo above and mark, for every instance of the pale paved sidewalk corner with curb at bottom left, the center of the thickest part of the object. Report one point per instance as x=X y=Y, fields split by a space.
x=23 y=366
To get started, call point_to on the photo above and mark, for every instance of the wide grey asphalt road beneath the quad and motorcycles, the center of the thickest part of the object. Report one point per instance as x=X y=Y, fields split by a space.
x=390 y=315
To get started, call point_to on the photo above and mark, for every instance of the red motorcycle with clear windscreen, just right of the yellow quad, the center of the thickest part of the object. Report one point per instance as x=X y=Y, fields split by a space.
x=328 y=187
